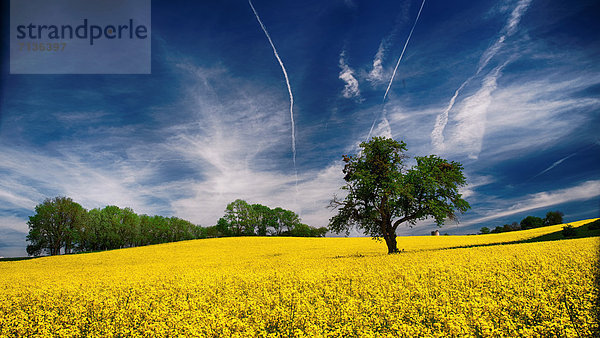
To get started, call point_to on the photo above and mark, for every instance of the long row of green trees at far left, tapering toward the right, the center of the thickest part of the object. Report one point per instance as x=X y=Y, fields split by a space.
x=61 y=224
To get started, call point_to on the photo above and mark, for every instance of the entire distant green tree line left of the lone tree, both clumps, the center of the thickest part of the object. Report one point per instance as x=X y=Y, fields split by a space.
x=62 y=225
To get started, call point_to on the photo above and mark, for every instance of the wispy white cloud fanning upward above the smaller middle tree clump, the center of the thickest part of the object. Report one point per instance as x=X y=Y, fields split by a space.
x=239 y=150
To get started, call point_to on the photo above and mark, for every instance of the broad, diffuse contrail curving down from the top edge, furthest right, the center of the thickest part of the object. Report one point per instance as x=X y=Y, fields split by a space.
x=437 y=137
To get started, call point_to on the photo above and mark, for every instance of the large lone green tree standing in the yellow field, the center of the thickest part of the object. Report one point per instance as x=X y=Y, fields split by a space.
x=383 y=193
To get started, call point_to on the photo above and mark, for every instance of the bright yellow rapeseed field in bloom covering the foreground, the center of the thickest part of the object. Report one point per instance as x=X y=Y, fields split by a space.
x=338 y=287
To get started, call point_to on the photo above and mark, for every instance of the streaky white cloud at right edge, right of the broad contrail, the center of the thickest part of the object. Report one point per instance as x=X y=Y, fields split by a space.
x=528 y=114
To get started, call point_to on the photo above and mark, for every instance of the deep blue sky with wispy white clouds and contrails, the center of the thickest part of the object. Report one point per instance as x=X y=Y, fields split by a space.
x=511 y=89
